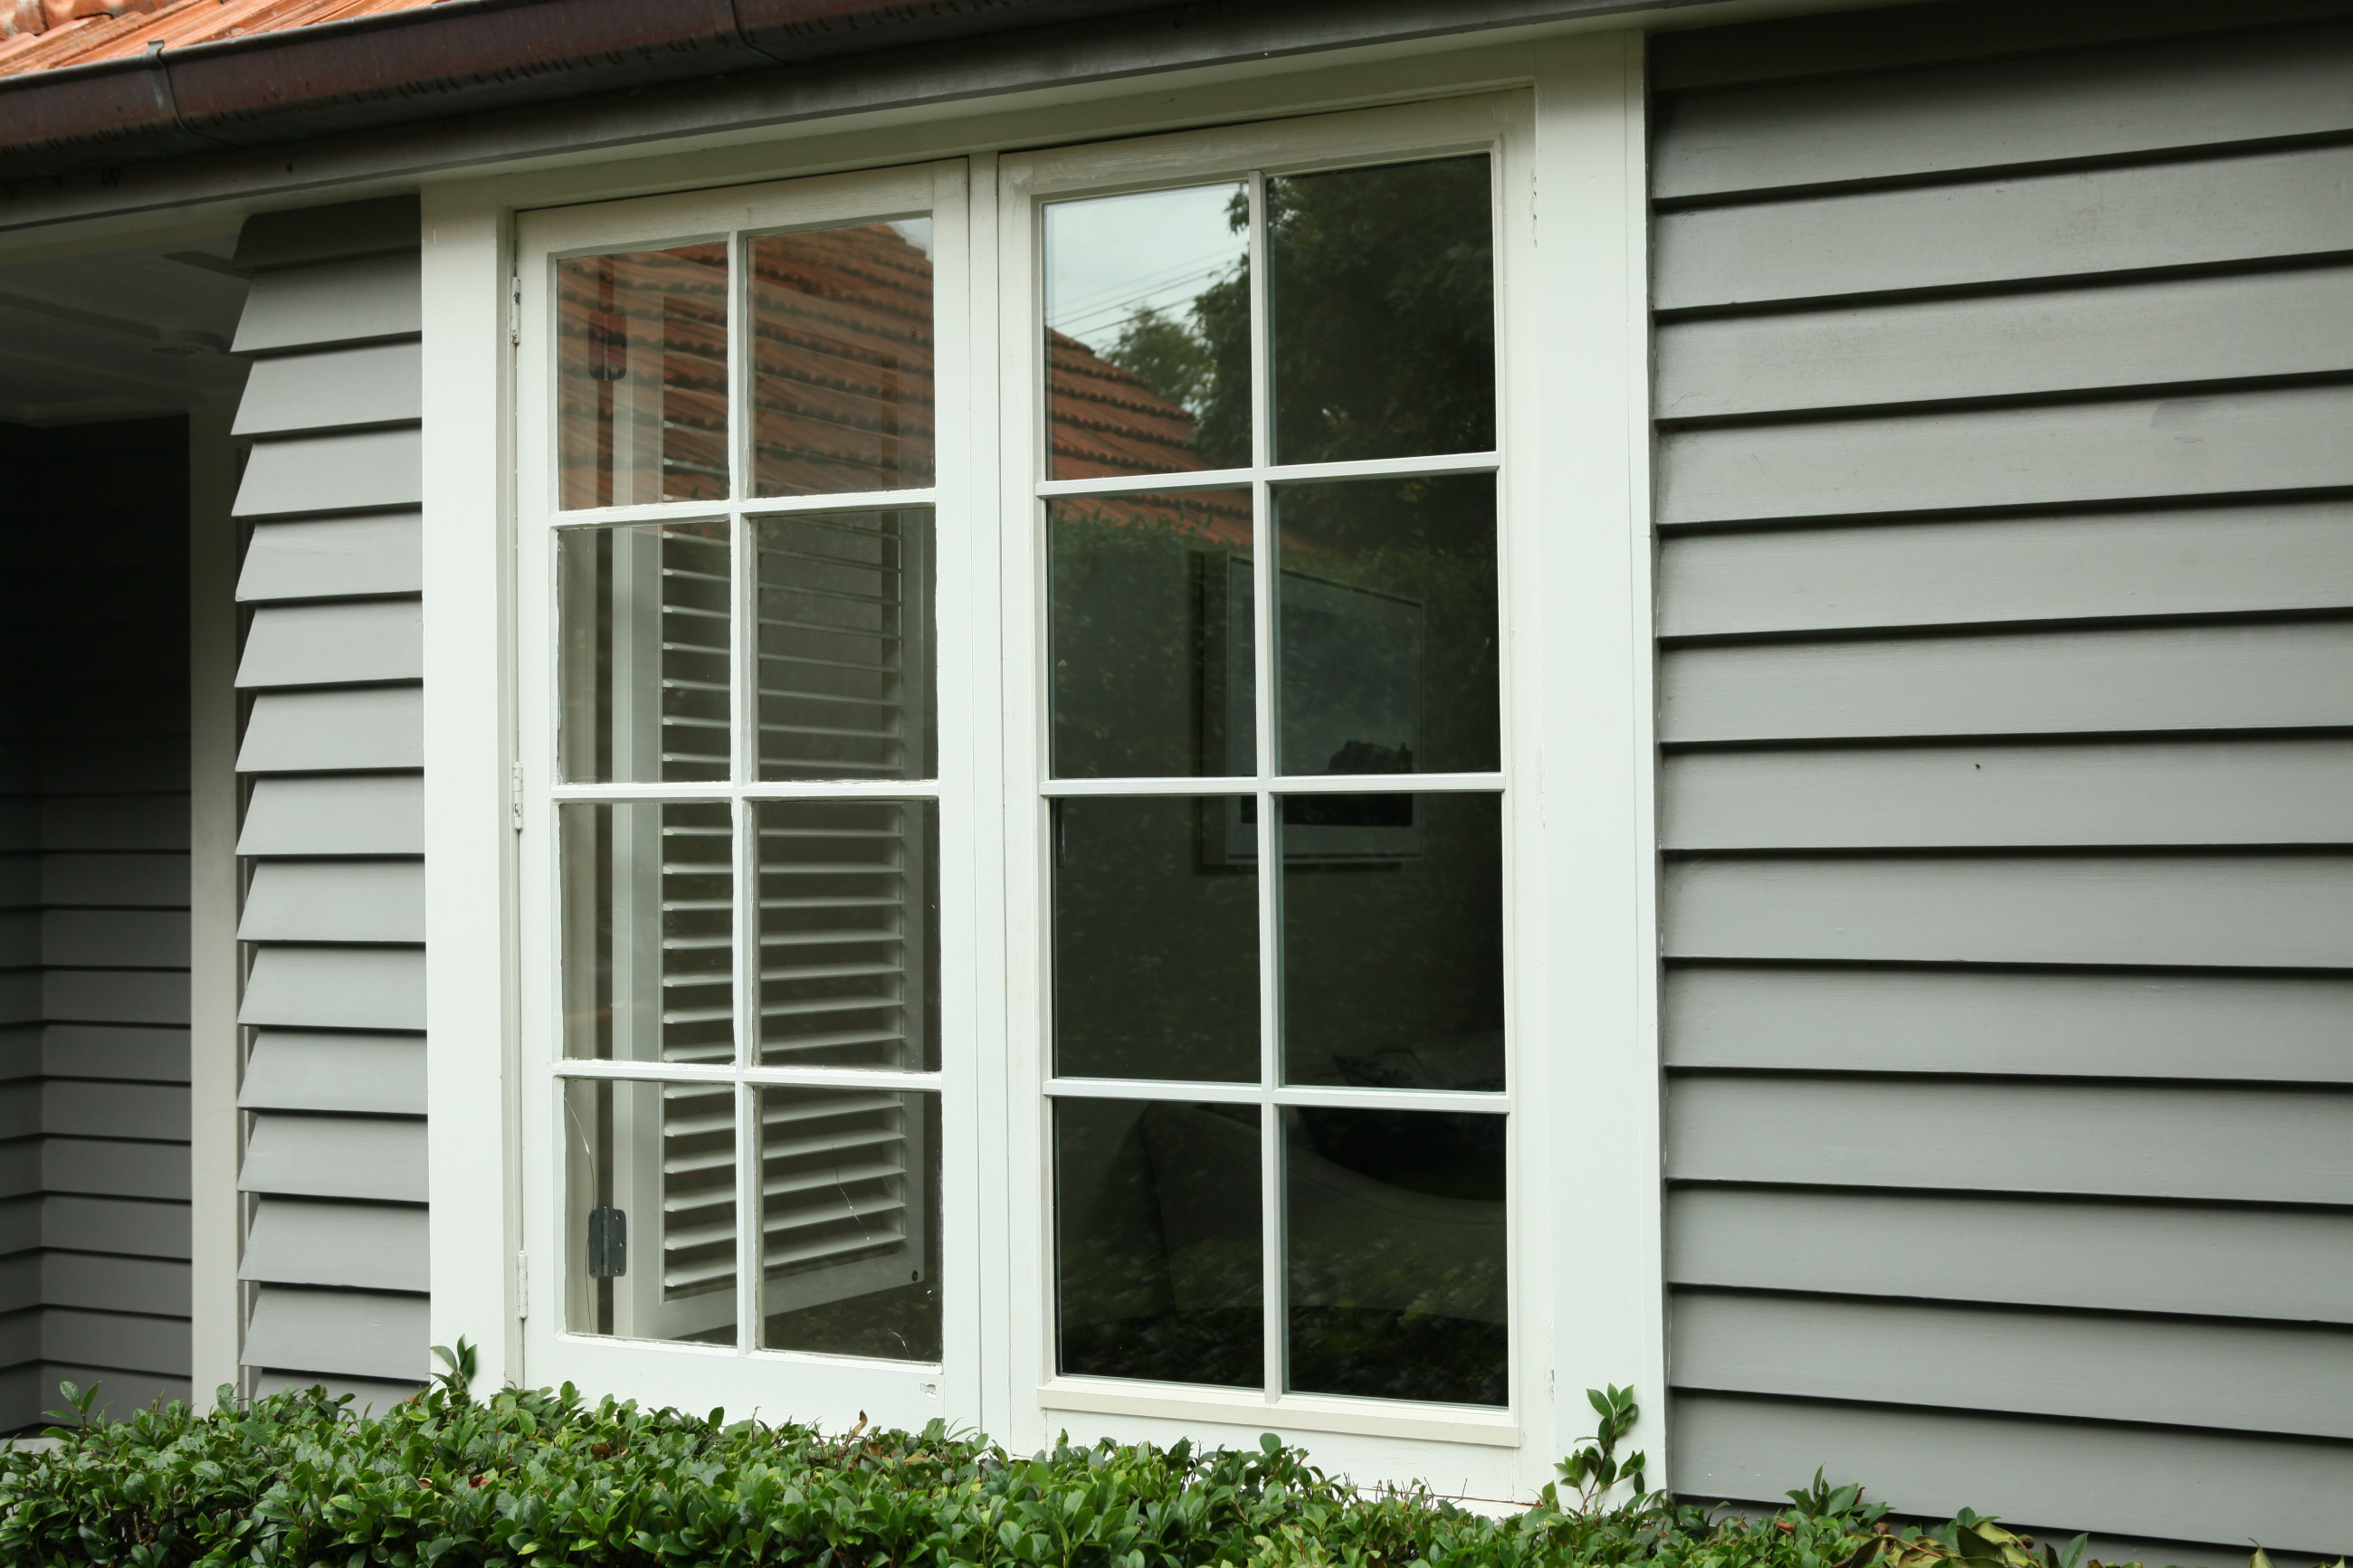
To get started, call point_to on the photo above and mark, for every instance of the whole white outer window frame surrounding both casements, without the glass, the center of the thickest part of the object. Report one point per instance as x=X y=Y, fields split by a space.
x=1564 y=114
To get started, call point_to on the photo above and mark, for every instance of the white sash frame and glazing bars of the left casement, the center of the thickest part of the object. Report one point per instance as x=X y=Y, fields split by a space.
x=644 y=1351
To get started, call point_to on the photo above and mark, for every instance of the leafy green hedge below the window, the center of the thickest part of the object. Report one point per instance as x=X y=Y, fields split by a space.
x=542 y=1477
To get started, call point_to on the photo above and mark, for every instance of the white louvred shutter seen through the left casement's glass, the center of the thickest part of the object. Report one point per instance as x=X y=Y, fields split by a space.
x=844 y=965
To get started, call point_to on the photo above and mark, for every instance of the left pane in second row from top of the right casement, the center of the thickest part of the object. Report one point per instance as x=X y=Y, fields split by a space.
x=1152 y=636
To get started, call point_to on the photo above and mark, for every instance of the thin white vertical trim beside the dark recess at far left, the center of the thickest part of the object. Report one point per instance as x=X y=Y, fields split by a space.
x=215 y=1057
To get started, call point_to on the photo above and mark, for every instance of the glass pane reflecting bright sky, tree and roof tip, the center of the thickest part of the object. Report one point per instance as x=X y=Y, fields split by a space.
x=1147 y=333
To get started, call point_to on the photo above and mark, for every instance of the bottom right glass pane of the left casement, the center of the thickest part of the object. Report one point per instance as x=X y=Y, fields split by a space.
x=851 y=1224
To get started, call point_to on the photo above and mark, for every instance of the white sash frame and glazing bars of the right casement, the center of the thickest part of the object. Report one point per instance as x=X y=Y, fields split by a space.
x=1495 y=128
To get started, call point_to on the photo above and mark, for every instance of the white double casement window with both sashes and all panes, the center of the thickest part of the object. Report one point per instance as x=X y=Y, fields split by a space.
x=1018 y=786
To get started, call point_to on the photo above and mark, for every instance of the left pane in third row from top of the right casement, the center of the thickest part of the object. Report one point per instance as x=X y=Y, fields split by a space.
x=1156 y=942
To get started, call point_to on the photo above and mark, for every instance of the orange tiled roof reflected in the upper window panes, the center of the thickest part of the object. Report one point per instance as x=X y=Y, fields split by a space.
x=841 y=389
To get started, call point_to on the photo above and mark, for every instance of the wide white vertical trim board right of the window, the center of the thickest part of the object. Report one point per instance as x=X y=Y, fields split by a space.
x=1597 y=1078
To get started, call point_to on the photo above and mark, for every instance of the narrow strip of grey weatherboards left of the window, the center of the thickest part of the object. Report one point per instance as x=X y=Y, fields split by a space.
x=333 y=836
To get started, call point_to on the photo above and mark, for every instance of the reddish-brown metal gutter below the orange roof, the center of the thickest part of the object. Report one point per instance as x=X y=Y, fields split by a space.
x=458 y=58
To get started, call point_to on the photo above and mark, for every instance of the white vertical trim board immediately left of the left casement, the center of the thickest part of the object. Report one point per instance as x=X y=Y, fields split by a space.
x=469 y=746
